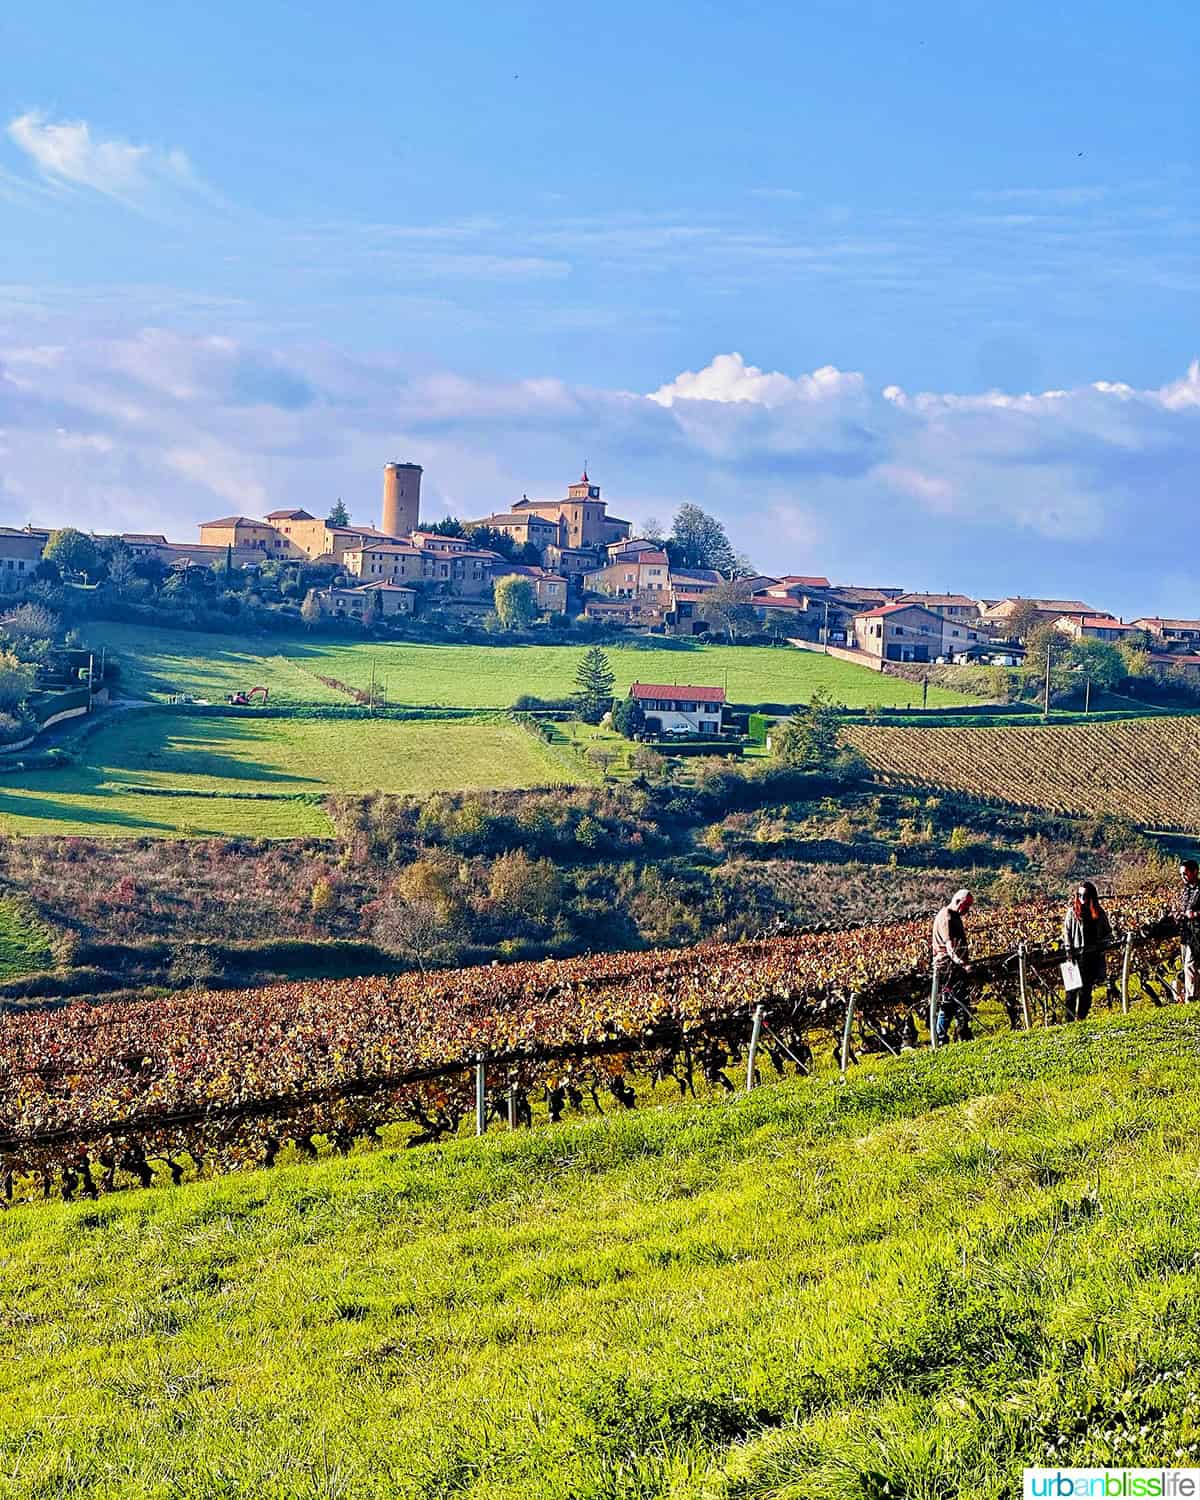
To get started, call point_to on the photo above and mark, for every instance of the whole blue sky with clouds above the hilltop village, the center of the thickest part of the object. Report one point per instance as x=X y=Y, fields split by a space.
x=251 y=253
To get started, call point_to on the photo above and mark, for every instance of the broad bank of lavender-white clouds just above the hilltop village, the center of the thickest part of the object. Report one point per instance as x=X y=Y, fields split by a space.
x=1082 y=493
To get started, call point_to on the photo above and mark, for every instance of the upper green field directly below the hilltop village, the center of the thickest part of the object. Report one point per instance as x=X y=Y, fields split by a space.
x=161 y=662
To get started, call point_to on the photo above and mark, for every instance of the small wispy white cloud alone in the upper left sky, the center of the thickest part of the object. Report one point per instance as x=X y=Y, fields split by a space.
x=67 y=154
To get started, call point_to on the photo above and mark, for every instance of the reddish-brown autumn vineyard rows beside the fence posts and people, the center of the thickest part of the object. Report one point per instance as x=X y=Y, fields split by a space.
x=95 y=1097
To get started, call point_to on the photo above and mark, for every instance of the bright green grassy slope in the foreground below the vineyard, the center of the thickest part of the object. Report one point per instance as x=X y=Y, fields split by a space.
x=907 y=1286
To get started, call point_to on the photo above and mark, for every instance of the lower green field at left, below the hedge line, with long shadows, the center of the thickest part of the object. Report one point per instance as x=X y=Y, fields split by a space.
x=188 y=754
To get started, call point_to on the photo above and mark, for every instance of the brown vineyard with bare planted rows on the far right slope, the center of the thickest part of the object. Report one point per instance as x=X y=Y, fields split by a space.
x=1144 y=769
